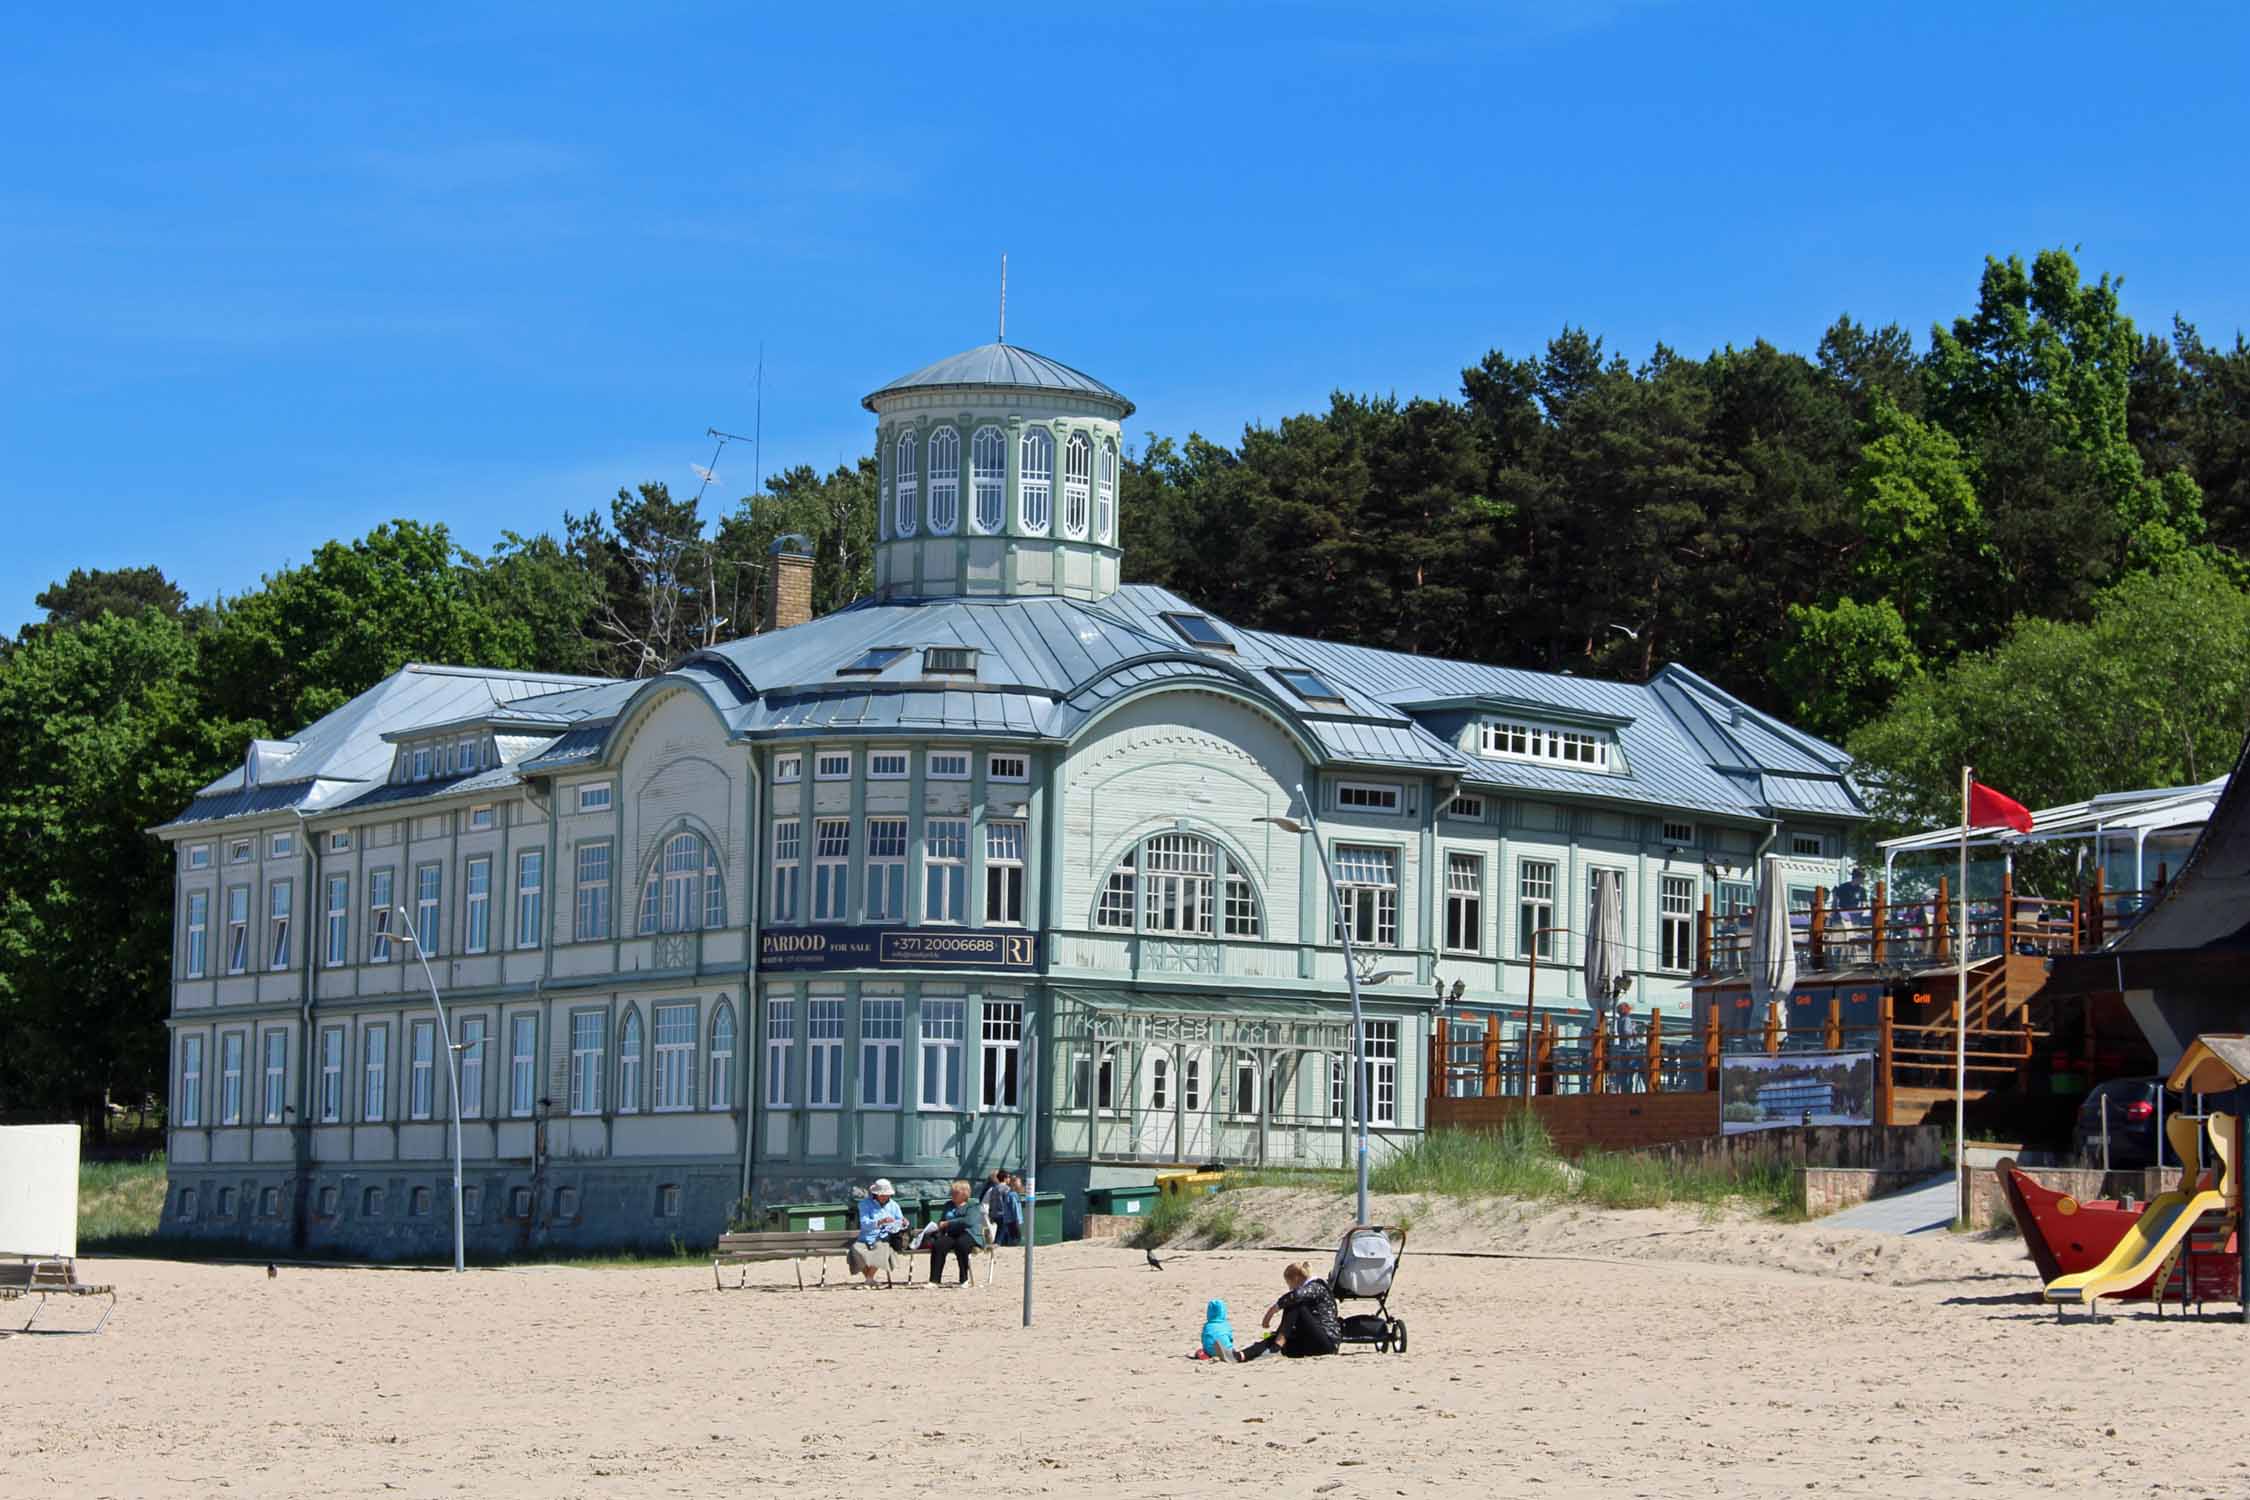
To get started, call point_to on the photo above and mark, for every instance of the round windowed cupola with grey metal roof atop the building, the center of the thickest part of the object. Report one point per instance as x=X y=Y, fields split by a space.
x=1000 y=476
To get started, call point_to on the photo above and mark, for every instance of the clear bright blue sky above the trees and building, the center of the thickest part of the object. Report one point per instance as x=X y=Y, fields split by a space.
x=269 y=278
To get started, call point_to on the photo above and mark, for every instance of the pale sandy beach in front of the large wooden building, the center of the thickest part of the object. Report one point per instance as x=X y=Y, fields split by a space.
x=1578 y=1355
